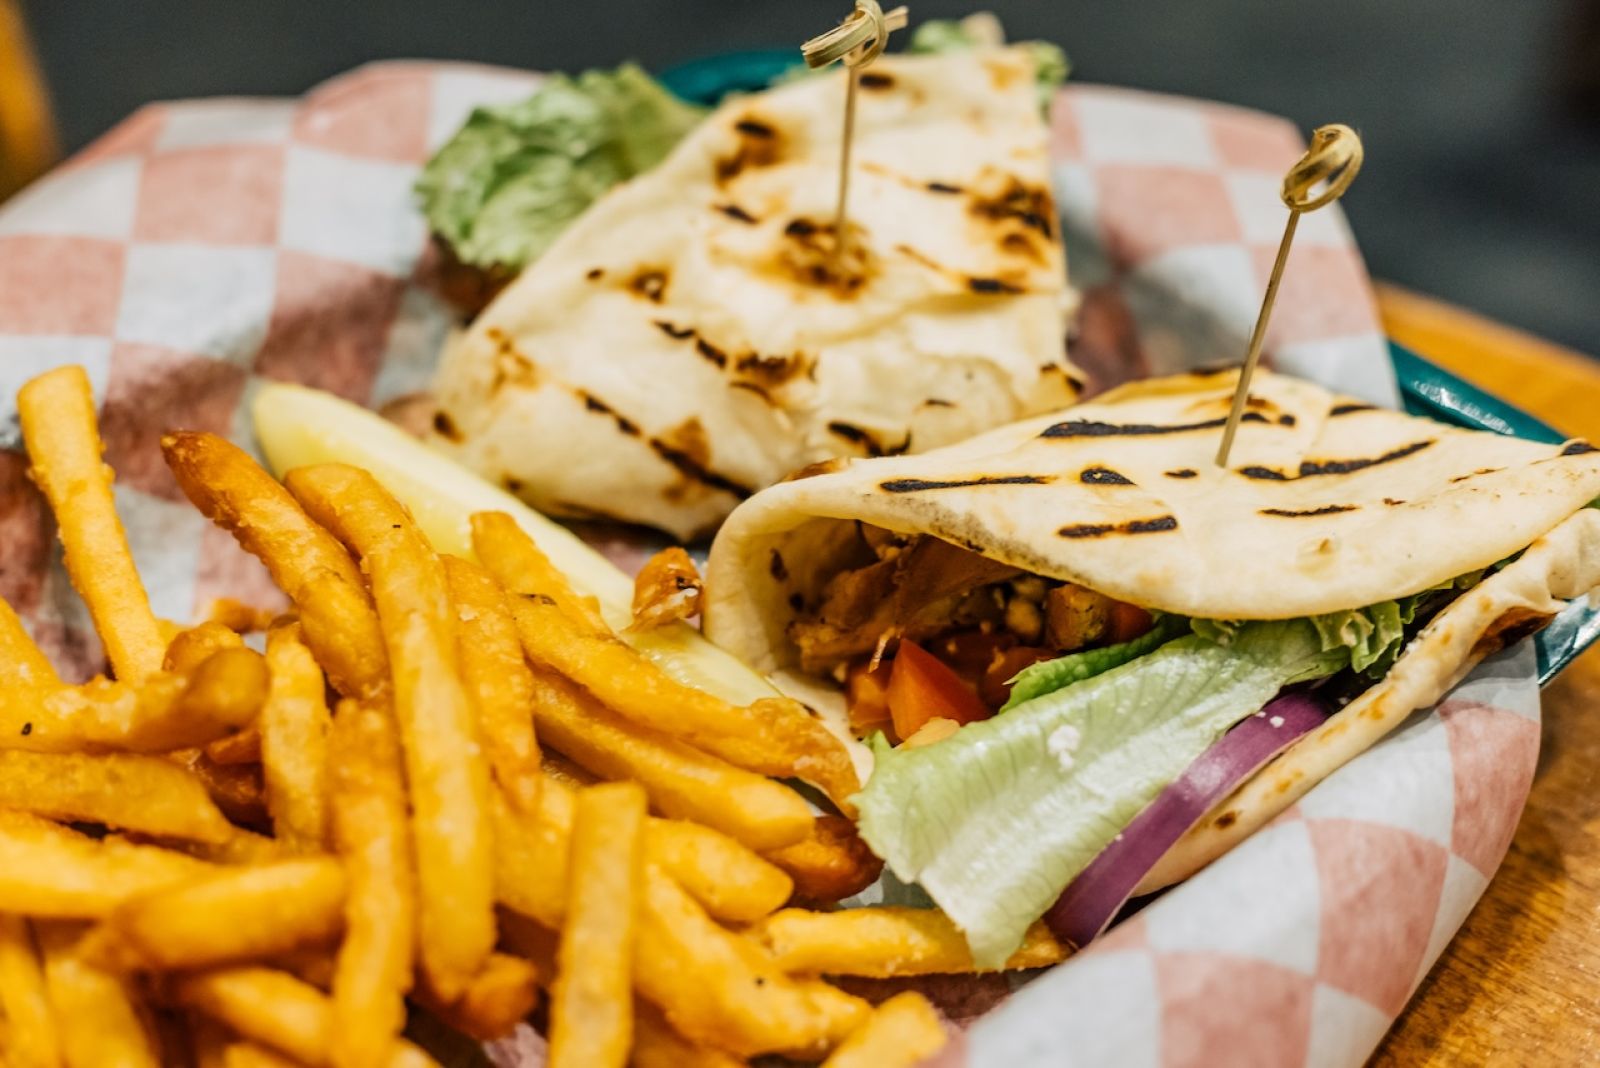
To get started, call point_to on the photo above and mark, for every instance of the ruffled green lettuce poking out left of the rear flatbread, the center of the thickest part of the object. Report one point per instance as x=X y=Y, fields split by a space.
x=516 y=175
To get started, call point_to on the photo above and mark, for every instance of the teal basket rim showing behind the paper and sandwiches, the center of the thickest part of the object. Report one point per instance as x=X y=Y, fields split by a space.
x=1426 y=389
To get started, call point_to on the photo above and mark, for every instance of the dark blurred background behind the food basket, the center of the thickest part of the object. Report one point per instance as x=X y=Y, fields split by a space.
x=1481 y=118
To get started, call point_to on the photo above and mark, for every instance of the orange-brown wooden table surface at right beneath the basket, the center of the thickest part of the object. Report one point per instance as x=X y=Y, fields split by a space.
x=1521 y=984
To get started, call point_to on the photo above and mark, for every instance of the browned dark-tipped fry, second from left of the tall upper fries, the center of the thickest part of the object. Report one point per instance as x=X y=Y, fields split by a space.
x=308 y=564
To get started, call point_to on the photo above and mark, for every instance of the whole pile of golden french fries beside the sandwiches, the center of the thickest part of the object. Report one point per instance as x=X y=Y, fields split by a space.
x=439 y=787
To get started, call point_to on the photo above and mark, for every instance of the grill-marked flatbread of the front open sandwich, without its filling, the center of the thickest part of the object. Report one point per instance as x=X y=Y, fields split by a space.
x=1327 y=504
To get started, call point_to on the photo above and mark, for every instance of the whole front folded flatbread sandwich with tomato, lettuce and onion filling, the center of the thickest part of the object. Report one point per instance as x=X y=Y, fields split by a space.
x=1090 y=661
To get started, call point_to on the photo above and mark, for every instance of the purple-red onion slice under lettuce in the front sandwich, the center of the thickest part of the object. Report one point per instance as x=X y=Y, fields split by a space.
x=1092 y=901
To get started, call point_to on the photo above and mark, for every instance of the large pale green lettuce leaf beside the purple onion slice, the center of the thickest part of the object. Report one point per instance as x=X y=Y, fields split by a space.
x=999 y=818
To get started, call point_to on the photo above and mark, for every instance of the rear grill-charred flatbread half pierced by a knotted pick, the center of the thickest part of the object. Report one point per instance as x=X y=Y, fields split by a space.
x=692 y=338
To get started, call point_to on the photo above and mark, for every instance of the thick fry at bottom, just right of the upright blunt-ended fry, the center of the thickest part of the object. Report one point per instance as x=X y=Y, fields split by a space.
x=740 y=1002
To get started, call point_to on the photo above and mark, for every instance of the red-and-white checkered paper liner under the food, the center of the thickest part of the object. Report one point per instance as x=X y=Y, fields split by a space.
x=206 y=247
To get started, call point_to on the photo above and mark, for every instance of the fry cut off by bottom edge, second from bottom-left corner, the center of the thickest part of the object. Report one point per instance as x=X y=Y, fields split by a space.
x=103 y=1018
